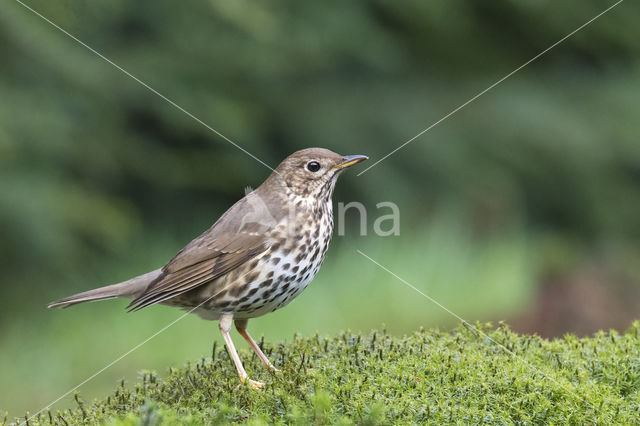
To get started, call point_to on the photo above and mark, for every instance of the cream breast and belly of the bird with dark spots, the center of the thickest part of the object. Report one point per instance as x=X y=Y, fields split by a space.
x=299 y=243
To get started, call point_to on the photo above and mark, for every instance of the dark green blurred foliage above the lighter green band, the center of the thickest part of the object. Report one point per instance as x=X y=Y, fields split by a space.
x=90 y=159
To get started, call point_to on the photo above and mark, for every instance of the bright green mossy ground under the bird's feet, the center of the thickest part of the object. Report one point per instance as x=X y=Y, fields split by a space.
x=427 y=377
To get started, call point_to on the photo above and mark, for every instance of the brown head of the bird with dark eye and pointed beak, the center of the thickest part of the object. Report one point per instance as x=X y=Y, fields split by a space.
x=313 y=172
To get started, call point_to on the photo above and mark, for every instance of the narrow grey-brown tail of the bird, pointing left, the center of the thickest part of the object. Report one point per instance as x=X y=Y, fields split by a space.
x=129 y=288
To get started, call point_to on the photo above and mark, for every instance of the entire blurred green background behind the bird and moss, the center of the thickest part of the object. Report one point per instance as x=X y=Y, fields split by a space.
x=523 y=206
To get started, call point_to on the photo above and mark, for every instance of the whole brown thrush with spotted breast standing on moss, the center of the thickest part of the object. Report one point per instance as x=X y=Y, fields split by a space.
x=256 y=258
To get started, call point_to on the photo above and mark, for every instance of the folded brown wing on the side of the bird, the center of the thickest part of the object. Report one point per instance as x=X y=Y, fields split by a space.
x=229 y=243
